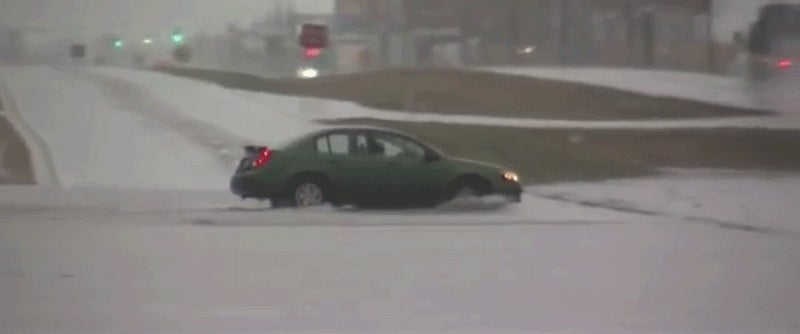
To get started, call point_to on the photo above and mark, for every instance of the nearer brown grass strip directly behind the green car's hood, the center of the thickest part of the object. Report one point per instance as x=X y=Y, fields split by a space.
x=559 y=155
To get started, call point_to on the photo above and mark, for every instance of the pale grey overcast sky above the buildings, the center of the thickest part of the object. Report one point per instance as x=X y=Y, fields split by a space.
x=152 y=17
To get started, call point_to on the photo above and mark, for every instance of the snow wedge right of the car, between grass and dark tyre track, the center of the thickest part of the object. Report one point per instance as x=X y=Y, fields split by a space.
x=751 y=200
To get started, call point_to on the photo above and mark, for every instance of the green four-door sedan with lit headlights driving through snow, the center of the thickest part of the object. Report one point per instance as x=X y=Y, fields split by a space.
x=364 y=167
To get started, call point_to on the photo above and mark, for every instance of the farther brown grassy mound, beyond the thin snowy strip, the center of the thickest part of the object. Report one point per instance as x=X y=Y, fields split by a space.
x=474 y=93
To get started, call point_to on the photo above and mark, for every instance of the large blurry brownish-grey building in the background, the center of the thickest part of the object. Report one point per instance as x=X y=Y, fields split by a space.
x=647 y=33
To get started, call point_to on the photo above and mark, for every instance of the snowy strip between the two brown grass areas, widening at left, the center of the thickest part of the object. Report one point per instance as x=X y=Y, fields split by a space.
x=258 y=115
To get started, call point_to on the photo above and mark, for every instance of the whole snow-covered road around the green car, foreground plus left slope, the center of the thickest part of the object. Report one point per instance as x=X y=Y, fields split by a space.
x=145 y=238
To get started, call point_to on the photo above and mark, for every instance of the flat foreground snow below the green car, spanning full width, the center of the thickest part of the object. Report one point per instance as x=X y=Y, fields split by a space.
x=241 y=270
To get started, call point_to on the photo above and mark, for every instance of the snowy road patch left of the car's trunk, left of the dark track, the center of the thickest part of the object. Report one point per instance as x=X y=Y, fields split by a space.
x=92 y=142
